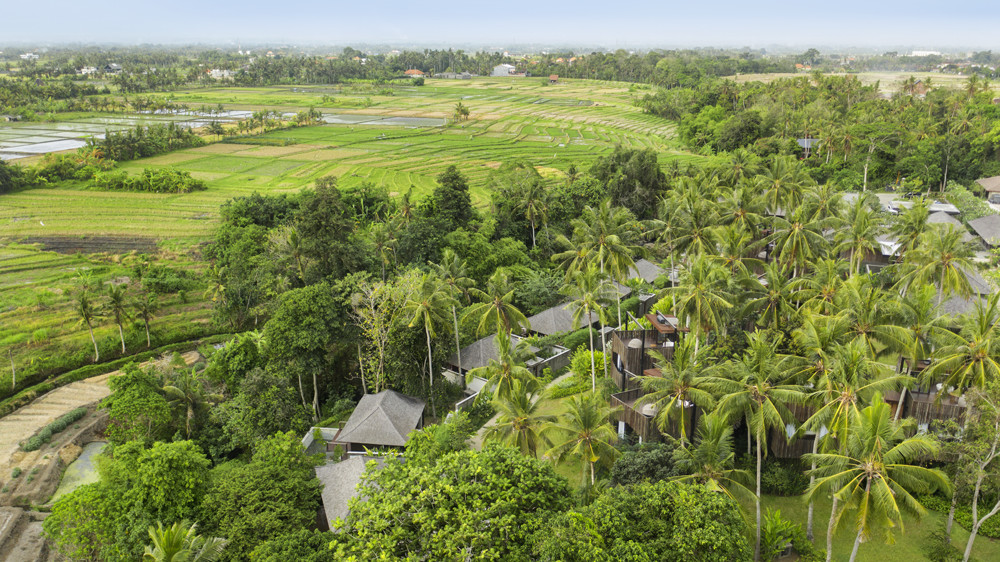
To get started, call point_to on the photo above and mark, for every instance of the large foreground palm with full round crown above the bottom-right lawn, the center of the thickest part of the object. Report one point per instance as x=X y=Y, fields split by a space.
x=874 y=478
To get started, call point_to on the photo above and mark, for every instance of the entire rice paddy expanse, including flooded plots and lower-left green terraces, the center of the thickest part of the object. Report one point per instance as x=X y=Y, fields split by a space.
x=401 y=141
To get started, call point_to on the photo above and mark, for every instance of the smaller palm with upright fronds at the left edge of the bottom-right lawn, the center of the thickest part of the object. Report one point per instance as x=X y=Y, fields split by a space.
x=710 y=461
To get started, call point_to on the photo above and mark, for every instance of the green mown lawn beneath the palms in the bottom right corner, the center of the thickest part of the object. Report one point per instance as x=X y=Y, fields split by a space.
x=909 y=544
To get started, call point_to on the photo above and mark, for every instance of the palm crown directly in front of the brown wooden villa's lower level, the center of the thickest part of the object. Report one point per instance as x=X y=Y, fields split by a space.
x=681 y=385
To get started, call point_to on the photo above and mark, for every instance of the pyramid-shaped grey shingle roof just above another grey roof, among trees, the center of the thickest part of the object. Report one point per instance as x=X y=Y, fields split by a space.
x=383 y=419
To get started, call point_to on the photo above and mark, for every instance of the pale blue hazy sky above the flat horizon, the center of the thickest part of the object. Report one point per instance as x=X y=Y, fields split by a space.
x=918 y=23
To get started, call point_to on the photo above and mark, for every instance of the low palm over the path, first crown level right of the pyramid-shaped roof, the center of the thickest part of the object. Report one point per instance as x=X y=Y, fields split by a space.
x=520 y=421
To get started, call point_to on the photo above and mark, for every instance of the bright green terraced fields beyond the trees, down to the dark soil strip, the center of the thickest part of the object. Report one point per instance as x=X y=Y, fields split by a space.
x=550 y=126
